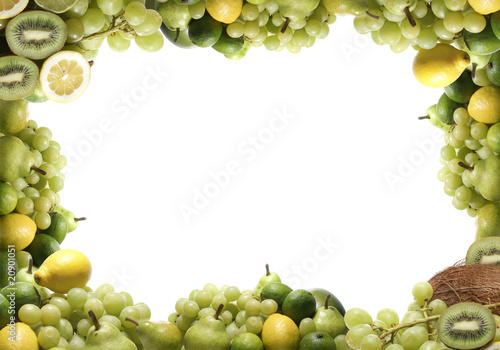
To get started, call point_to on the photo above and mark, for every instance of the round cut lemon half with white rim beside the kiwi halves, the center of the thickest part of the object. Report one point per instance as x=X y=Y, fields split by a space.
x=64 y=76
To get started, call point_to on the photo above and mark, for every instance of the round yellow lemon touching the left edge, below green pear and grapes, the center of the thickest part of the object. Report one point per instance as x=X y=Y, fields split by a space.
x=16 y=230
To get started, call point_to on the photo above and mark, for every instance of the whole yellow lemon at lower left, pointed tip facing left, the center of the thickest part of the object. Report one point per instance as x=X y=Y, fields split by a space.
x=63 y=270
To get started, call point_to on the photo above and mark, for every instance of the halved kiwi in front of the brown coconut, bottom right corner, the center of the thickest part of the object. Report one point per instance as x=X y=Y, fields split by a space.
x=466 y=326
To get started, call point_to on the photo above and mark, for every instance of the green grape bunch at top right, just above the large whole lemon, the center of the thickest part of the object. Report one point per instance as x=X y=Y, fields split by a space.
x=428 y=23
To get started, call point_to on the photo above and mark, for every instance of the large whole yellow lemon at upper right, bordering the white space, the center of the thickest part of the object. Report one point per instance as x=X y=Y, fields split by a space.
x=439 y=66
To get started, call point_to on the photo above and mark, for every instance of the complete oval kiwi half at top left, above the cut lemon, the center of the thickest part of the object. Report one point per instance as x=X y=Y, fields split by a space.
x=36 y=34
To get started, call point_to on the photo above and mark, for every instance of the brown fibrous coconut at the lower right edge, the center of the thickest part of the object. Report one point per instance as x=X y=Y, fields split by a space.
x=468 y=283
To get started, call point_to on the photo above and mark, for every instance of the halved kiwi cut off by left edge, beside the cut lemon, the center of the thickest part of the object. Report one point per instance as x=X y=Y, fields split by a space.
x=18 y=77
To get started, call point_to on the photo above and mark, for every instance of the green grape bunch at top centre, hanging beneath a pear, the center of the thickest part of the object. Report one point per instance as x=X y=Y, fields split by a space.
x=263 y=25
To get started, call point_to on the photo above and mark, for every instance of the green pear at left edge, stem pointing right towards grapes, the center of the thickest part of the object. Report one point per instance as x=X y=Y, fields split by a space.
x=16 y=160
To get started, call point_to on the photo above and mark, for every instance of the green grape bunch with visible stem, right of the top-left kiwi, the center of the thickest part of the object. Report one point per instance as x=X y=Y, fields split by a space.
x=119 y=22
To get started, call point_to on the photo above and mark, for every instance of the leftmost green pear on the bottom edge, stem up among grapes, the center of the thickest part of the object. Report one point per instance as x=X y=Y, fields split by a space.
x=106 y=337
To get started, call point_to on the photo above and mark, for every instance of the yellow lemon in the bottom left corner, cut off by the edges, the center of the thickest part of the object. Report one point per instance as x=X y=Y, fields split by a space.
x=18 y=337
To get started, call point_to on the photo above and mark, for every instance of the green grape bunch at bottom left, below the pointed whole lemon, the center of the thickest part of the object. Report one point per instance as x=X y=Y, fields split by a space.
x=63 y=319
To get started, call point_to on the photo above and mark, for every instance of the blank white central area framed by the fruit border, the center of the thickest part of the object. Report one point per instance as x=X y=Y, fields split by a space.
x=320 y=182
